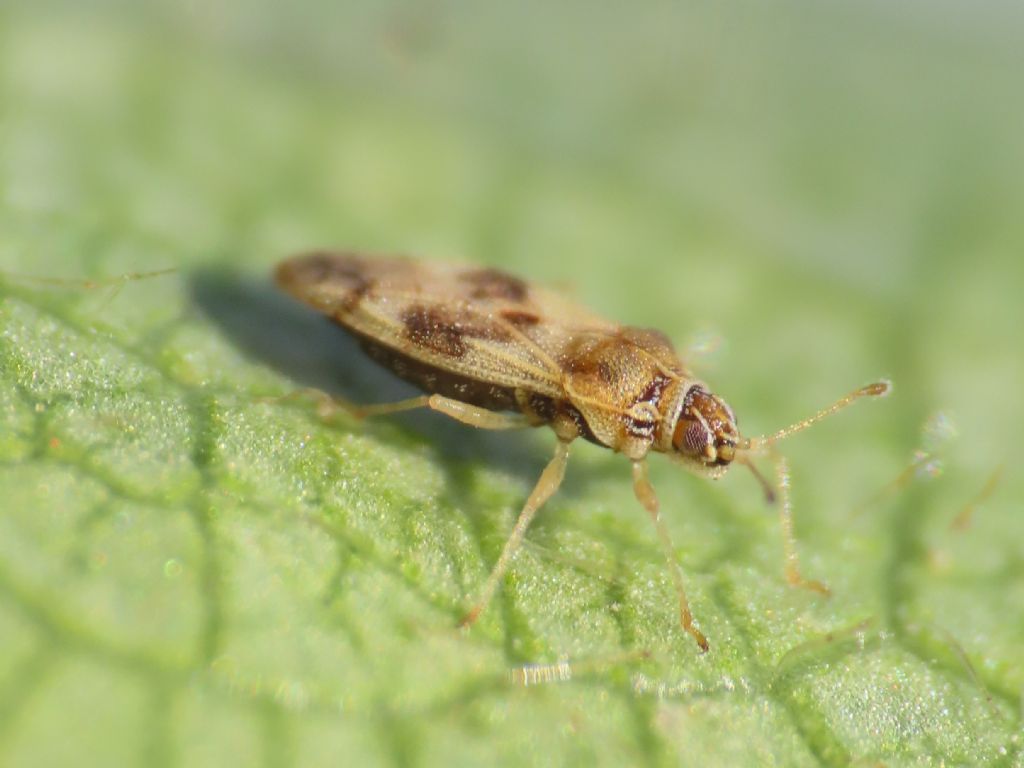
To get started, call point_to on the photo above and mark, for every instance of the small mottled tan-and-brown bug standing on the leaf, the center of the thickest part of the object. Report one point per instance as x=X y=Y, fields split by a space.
x=494 y=353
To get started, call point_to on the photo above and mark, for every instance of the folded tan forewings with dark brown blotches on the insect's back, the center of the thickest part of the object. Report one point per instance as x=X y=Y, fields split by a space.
x=480 y=323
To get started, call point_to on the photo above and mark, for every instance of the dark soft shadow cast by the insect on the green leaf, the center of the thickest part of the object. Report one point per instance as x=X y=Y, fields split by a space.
x=307 y=348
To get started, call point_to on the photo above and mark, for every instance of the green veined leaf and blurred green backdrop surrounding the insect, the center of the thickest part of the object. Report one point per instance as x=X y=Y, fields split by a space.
x=193 y=575
